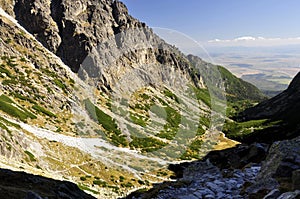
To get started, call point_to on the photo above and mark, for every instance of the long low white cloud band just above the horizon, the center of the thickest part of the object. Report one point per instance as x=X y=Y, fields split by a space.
x=254 y=41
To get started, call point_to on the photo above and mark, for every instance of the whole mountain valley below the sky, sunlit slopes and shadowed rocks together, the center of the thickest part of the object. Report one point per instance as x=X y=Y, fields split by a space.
x=92 y=96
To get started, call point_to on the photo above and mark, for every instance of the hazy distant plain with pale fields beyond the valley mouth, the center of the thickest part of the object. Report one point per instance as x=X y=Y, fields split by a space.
x=271 y=69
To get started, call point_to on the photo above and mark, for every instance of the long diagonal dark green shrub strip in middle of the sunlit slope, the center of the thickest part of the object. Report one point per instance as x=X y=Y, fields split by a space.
x=112 y=130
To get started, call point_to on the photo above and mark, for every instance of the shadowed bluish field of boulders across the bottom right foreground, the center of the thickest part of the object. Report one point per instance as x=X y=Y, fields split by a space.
x=241 y=172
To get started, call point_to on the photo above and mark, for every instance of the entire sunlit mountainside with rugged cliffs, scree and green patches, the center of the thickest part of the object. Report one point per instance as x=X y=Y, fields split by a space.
x=133 y=105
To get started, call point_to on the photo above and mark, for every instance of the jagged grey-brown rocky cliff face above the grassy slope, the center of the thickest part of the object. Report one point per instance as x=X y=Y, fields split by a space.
x=81 y=33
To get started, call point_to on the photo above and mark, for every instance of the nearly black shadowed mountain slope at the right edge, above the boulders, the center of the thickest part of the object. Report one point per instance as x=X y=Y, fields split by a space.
x=282 y=110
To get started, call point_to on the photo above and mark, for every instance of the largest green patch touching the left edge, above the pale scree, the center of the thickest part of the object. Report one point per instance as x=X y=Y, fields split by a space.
x=8 y=106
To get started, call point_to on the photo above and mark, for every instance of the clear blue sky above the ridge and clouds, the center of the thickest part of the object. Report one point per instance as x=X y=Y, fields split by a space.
x=225 y=20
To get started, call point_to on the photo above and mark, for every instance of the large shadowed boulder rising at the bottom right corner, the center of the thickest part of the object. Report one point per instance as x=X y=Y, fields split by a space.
x=279 y=171
